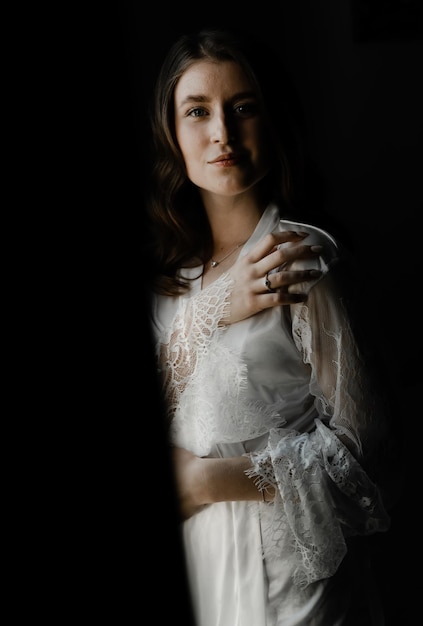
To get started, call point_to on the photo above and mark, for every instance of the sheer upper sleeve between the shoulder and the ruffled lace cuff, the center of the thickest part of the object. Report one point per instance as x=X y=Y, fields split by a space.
x=340 y=380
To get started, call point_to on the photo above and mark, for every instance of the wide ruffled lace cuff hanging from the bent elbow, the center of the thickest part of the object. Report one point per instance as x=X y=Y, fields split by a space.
x=323 y=497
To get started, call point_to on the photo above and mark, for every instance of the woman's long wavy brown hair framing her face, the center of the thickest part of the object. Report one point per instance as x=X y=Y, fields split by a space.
x=179 y=233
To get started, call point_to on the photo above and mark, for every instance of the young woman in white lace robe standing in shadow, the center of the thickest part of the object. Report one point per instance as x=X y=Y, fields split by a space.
x=275 y=427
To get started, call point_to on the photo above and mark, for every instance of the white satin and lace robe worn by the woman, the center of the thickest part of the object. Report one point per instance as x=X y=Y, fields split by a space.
x=263 y=387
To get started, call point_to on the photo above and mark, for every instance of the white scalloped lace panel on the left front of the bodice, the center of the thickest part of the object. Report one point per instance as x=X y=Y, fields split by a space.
x=206 y=409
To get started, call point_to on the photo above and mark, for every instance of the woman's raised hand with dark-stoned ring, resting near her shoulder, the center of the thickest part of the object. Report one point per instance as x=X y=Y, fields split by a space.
x=250 y=294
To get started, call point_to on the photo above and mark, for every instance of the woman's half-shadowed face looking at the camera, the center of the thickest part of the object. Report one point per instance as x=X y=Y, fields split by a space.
x=220 y=128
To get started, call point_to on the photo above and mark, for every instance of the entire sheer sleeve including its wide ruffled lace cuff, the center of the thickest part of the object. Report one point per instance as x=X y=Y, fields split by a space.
x=324 y=493
